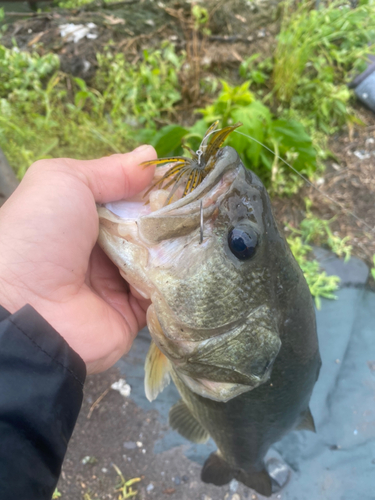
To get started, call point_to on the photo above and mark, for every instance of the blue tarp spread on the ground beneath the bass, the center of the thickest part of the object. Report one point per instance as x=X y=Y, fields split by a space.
x=337 y=463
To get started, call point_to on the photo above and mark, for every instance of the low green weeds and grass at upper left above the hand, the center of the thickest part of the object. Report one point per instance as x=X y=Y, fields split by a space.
x=45 y=113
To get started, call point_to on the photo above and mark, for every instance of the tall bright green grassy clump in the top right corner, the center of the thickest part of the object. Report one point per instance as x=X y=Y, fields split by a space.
x=317 y=53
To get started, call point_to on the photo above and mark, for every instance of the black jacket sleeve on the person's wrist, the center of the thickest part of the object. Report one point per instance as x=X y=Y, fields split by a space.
x=41 y=382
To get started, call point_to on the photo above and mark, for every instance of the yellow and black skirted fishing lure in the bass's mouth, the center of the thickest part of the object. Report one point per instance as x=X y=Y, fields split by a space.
x=191 y=170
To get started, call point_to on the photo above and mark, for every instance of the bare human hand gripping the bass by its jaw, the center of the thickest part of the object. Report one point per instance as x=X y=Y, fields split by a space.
x=49 y=257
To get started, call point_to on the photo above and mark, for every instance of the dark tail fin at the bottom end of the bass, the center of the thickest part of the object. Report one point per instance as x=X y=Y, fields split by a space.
x=217 y=471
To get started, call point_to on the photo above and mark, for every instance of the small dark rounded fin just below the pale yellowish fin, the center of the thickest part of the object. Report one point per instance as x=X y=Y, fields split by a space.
x=181 y=420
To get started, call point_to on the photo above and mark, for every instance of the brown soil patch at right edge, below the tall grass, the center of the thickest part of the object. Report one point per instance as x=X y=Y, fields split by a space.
x=349 y=182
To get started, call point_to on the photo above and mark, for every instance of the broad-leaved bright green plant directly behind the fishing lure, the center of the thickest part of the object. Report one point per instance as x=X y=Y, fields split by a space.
x=286 y=138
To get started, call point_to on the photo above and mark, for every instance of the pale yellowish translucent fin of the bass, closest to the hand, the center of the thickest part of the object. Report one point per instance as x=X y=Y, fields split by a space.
x=157 y=370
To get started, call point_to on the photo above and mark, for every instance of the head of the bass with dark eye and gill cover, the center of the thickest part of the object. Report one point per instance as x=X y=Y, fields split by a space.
x=214 y=311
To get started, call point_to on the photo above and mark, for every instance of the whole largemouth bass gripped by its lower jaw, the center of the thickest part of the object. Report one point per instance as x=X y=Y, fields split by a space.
x=231 y=318
